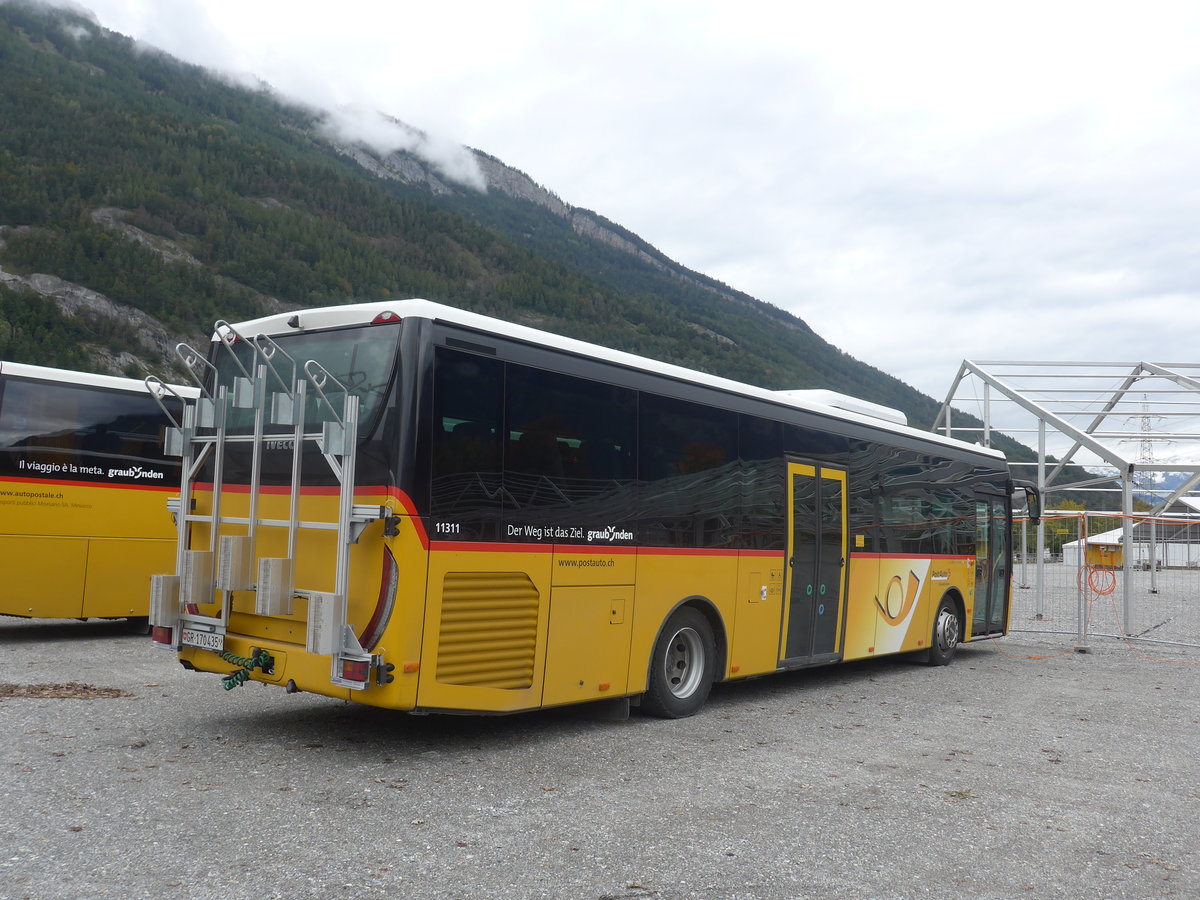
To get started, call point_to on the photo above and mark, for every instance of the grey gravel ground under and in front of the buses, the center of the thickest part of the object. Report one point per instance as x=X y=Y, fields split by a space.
x=1023 y=770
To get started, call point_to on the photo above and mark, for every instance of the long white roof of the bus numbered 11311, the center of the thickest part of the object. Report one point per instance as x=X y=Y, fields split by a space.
x=825 y=403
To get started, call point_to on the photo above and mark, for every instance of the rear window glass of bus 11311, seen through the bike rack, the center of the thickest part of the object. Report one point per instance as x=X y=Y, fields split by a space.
x=359 y=361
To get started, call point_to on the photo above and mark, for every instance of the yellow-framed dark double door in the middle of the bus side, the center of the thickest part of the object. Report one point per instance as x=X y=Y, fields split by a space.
x=815 y=589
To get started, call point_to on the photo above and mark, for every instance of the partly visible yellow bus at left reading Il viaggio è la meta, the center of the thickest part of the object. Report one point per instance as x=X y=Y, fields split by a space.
x=83 y=482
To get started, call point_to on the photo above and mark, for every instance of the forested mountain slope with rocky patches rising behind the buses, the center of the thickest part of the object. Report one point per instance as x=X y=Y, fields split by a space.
x=143 y=199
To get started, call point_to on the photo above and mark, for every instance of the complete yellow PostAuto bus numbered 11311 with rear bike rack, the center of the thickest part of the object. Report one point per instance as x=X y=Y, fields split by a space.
x=413 y=507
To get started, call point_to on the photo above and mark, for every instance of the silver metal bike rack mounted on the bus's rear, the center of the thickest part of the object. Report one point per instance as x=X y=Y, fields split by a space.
x=229 y=565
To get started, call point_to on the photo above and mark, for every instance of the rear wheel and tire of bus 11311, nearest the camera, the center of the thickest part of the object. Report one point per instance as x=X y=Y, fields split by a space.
x=682 y=667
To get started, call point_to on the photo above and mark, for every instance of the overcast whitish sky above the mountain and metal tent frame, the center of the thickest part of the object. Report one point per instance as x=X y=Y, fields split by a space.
x=921 y=182
